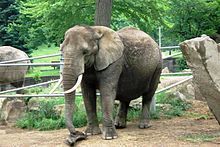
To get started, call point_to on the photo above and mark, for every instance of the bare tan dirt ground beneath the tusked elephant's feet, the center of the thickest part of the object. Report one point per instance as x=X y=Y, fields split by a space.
x=164 y=132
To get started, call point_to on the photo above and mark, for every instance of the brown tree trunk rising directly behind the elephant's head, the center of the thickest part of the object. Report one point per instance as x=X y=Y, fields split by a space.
x=103 y=13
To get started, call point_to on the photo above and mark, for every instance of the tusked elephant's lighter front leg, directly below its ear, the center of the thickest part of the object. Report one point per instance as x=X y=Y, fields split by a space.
x=108 y=81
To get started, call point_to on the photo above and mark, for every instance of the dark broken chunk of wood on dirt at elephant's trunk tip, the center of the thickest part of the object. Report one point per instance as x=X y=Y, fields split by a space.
x=74 y=137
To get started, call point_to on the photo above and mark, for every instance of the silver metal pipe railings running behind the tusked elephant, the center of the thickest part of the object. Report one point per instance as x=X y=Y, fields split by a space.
x=12 y=63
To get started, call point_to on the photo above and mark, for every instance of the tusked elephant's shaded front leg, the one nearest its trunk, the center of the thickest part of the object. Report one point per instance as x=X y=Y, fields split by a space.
x=89 y=96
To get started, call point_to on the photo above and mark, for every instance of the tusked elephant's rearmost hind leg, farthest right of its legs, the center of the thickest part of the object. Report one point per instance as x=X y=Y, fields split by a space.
x=147 y=98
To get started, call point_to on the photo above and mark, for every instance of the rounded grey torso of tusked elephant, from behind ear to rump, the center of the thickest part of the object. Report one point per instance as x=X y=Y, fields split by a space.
x=141 y=58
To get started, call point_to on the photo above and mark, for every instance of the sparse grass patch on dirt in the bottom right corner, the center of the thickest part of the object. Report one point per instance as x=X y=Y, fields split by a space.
x=200 y=137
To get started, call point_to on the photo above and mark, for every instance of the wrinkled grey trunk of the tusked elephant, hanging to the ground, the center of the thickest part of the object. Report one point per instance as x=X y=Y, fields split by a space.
x=72 y=69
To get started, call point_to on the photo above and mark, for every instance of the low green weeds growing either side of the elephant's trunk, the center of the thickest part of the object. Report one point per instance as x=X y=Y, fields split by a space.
x=46 y=117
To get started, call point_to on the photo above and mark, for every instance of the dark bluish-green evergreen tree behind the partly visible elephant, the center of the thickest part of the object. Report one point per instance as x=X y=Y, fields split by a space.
x=9 y=13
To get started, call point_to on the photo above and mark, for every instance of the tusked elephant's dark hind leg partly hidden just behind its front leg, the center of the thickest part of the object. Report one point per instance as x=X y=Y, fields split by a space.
x=120 y=120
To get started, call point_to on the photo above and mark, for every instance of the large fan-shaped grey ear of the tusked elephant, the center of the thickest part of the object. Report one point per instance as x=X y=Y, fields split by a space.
x=110 y=48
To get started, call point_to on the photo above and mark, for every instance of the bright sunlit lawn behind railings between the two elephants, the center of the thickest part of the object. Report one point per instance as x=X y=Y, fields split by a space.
x=44 y=70
